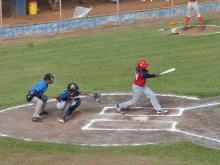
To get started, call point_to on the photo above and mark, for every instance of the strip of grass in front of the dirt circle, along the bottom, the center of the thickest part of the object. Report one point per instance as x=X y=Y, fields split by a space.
x=171 y=153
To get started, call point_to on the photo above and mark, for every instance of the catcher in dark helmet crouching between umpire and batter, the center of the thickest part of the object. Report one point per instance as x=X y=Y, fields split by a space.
x=68 y=101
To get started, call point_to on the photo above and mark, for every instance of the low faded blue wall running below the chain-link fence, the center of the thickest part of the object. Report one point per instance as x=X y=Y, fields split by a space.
x=85 y=23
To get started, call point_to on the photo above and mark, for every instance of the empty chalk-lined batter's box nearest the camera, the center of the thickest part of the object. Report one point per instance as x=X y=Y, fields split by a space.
x=128 y=125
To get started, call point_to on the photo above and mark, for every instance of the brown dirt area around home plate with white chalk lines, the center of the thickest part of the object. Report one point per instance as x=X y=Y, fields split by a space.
x=99 y=124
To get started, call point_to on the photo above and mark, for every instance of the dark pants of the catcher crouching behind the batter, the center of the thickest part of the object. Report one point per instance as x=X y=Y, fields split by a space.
x=70 y=107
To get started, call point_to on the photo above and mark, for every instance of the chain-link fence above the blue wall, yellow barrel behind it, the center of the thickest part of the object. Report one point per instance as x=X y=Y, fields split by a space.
x=17 y=12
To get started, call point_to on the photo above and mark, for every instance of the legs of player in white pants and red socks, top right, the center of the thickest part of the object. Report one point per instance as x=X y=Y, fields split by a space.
x=192 y=8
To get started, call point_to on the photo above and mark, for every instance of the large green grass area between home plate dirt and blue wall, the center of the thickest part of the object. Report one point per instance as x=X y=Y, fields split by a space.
x=105 y=61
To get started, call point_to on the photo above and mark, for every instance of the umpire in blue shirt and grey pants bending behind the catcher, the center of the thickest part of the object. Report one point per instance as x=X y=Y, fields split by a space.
x=36 y=96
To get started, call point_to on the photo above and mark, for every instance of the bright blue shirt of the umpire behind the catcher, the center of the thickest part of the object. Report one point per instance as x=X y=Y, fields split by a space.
x=39 y=89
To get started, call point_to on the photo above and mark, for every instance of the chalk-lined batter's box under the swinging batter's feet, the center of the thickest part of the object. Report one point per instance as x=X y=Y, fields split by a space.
x=141 y=111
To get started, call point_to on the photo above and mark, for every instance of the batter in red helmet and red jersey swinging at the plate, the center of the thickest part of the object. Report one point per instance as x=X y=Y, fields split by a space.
x=139 y=89
